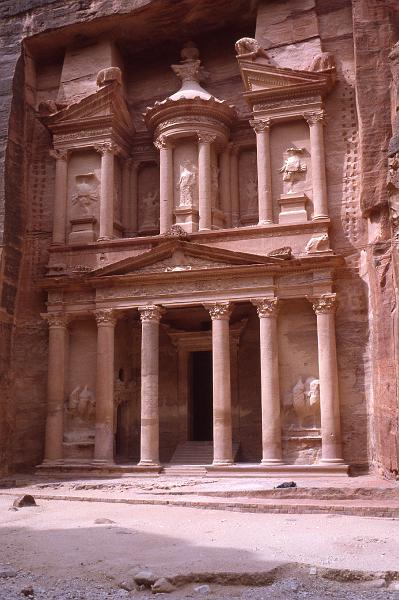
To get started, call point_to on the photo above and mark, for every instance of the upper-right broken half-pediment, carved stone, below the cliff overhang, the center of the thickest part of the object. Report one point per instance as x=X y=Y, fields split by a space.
x=266 y=80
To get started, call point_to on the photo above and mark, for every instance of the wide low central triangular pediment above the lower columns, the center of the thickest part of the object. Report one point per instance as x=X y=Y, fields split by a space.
x=180 y=256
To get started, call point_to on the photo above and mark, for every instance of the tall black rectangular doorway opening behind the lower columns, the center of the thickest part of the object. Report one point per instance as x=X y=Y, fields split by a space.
x=201 y=426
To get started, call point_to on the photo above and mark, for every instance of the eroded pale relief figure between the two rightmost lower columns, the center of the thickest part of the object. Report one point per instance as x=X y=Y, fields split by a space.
x=306 y=402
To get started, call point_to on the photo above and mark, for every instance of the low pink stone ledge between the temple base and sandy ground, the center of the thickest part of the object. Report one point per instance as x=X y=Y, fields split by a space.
x=356 y=496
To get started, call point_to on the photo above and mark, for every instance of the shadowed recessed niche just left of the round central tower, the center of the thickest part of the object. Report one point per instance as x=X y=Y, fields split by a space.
x=148 y=198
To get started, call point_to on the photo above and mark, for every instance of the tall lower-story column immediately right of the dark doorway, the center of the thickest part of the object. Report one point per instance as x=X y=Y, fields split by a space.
x=222 y=424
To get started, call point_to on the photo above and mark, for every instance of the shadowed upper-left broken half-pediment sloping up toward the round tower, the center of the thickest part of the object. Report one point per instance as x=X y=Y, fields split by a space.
x=105 y=104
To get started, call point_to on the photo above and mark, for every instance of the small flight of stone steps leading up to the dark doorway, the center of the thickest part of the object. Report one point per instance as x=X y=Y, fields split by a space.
x=191 y=458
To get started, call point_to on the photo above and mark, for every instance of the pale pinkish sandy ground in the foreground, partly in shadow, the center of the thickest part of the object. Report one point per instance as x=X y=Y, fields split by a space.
x=58 y=549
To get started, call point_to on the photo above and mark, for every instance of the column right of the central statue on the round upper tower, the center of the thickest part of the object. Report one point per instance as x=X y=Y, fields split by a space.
x=205 y=180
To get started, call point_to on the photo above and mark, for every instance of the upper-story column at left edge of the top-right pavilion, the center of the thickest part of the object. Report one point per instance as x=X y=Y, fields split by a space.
x=265 y=199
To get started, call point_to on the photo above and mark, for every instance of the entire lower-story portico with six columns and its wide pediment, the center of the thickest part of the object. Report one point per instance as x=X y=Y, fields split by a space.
x=191 y=347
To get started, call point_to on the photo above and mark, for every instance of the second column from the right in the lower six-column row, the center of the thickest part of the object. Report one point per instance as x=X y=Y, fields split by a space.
x=267 y=309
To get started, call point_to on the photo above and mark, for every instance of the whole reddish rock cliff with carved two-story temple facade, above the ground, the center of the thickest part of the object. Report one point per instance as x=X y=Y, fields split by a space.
x=199 y=232
